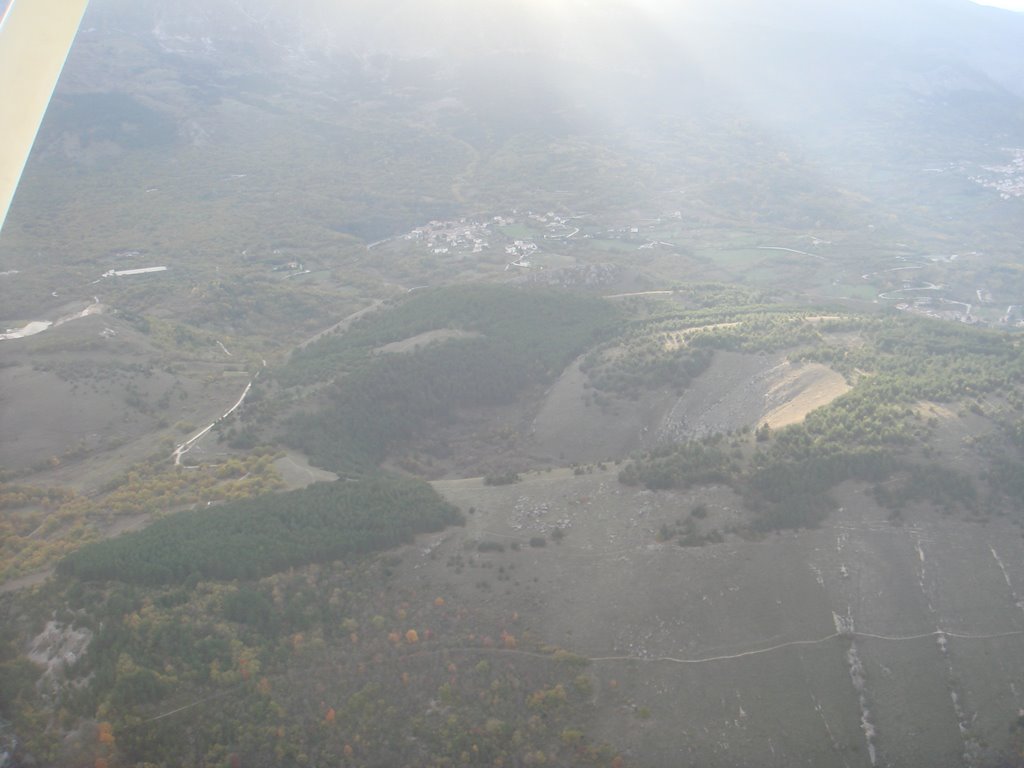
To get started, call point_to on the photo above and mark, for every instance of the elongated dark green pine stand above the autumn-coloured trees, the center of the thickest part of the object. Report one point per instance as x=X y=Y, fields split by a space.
x=270 y=534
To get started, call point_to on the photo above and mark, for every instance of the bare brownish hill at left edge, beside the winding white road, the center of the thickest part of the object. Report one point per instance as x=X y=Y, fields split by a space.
x=83 y=391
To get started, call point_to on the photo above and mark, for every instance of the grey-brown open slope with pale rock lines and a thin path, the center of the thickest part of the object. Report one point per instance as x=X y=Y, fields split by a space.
x=856 y=645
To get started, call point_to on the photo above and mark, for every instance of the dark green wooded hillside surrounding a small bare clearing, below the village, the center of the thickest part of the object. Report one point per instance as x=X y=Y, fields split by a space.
x=524 y=338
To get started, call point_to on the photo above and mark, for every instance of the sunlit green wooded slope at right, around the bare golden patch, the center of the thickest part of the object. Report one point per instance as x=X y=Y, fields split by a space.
x=876 y=434
